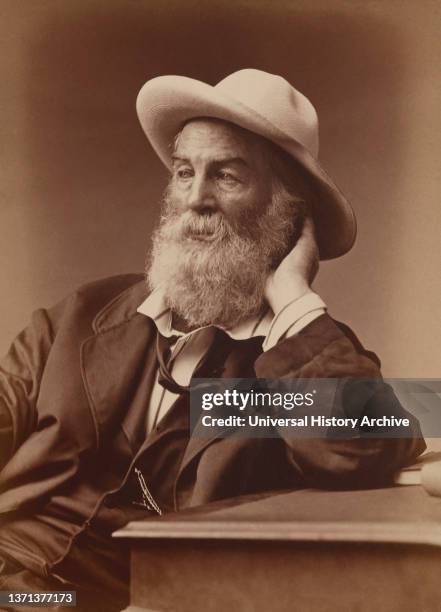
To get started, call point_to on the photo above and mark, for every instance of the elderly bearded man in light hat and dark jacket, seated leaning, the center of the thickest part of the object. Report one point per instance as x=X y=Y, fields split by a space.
x=94 y=404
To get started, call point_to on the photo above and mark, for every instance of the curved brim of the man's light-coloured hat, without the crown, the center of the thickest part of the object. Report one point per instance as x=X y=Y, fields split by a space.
x=166 y=103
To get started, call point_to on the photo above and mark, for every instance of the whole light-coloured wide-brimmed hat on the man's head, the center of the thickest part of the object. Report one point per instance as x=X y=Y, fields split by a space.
x=267 y=105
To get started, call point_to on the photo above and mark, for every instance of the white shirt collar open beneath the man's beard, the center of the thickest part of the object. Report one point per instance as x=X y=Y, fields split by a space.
x=154 y=307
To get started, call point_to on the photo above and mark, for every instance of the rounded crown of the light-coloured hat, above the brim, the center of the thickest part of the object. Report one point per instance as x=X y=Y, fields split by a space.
x=276 y=101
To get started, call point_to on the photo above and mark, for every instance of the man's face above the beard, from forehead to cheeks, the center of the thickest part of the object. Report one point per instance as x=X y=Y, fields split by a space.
x=219 y=168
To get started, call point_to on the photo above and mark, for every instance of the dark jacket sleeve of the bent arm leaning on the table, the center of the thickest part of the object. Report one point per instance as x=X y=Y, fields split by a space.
x=325 y=349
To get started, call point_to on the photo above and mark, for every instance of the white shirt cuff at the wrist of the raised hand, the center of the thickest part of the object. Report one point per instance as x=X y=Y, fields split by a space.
x=294 y=317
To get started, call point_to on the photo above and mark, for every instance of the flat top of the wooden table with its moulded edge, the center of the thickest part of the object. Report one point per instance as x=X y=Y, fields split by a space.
x=405 y=515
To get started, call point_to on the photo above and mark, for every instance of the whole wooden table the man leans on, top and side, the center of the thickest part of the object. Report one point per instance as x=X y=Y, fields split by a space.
x=308 y=550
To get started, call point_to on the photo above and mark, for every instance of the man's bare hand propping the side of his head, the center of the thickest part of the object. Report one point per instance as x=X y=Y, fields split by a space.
x=296 y=271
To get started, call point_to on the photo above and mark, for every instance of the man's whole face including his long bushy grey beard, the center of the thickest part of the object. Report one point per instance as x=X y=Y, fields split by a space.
x=227 y=223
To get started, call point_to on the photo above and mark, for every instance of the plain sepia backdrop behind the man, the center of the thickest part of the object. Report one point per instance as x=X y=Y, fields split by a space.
x=79 y=185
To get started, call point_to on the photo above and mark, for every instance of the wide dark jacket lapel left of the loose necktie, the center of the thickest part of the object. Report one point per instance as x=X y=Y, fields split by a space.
x=118 y=366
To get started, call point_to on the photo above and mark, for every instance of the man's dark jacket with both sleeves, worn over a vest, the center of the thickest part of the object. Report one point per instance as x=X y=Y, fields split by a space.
x=70 y=379
